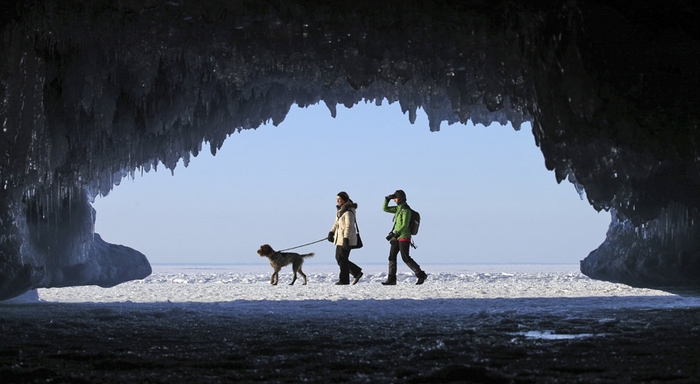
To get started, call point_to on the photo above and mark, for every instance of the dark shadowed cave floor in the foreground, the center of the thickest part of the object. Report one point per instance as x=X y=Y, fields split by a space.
x=160 y=343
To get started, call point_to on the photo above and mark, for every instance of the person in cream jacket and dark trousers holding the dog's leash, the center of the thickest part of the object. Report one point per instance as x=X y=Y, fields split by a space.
x=344 y=232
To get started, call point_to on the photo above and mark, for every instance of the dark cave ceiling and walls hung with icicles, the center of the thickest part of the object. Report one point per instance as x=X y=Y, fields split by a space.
x=93 y=90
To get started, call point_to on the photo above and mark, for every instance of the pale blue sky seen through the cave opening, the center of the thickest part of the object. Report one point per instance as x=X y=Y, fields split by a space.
x=484 y=194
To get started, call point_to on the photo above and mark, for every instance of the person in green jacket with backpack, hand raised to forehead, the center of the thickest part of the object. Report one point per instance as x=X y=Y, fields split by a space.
x=400 y=237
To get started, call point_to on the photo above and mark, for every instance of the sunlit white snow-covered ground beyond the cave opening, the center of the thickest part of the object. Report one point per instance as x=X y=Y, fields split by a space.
x=206 y=283
